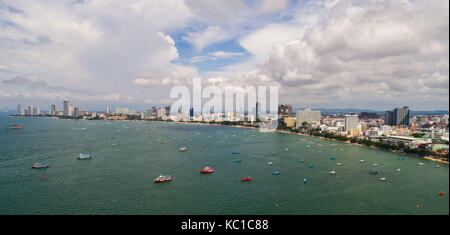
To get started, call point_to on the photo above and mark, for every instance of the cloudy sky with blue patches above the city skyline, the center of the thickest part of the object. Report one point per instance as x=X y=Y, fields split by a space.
x=322 y=54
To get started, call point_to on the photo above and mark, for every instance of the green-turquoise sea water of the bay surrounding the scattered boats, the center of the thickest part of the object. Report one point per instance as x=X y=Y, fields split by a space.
x=119 y=179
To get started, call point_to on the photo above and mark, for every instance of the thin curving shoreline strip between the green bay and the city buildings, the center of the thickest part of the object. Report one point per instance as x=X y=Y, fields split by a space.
x=430 y=158
